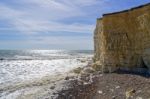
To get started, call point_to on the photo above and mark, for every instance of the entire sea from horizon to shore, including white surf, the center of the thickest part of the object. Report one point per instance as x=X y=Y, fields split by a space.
x=20 y=70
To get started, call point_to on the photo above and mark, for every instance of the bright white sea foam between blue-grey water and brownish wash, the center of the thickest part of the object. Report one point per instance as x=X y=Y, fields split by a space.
x=17 y=71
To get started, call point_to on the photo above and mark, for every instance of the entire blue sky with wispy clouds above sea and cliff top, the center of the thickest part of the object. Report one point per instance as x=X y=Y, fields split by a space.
x=54 y=24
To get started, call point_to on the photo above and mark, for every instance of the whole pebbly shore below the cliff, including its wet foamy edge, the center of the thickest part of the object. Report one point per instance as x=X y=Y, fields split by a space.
x=88 y=83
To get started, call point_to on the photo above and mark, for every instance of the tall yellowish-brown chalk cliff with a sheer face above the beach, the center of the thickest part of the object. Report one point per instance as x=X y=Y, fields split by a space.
x=122 y=39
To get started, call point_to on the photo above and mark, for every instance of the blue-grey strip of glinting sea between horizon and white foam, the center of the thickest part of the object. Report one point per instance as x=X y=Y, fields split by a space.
x=41 y=54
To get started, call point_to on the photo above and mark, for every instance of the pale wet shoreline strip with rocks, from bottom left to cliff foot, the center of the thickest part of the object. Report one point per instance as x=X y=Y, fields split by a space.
x=39 y=87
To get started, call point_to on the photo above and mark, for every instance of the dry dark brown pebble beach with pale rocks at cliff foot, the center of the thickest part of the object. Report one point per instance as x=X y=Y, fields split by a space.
x=90 y=84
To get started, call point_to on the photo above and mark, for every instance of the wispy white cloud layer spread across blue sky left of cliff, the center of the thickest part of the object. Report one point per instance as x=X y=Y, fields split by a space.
x=42 y=16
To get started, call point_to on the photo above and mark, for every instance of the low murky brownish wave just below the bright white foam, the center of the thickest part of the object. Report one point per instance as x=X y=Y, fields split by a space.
x=7 y=89
